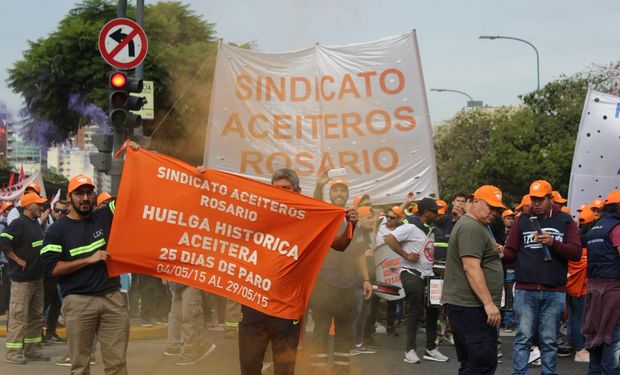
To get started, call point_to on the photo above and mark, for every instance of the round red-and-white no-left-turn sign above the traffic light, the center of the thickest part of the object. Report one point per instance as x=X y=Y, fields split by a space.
x=123 y=43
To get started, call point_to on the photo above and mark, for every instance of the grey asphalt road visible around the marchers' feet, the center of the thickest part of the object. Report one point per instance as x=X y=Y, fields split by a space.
x=146 y=357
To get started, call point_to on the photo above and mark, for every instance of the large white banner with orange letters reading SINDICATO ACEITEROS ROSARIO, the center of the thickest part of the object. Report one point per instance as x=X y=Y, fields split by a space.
x=361 y=107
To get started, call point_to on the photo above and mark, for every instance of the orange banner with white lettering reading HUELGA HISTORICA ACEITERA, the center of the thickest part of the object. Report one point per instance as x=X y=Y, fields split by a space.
x=248 y=241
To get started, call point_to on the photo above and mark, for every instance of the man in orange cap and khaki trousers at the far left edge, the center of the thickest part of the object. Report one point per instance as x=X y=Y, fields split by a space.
x=21 y=242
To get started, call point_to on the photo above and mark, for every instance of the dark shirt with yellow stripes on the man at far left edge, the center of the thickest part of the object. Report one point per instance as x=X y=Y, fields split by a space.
x=25 y=238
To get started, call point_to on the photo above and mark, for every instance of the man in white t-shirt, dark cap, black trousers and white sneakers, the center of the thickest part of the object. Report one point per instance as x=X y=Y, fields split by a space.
x=415 y=244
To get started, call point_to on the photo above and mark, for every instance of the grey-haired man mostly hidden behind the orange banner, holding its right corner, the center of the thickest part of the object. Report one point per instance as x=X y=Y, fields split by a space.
x=257 y=329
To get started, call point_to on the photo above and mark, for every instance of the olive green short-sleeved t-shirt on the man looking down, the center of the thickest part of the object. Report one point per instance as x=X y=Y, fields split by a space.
x=472 y=239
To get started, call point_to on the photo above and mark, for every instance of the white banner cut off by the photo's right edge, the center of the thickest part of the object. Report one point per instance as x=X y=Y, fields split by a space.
x=596 y=163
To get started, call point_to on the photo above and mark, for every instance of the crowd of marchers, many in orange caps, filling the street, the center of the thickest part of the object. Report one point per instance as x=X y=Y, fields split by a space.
x=529 y=270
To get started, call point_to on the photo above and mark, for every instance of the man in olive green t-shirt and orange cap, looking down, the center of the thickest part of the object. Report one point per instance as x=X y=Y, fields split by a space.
x=473 y=283
